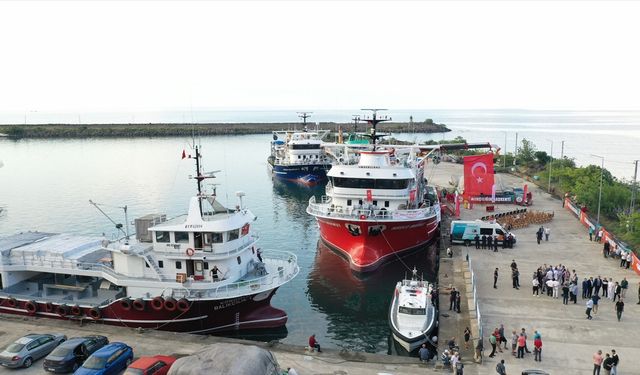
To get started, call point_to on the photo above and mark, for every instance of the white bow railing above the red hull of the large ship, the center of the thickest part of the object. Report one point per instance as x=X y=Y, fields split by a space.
x=326 y=208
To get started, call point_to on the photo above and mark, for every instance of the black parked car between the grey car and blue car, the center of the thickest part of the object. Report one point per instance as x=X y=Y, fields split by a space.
x=70 y=355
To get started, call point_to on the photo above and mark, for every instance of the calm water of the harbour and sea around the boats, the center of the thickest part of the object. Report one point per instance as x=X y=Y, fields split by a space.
x=46 y=185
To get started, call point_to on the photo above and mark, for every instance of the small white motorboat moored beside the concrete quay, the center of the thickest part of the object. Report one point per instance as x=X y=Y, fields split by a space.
x=412 y=316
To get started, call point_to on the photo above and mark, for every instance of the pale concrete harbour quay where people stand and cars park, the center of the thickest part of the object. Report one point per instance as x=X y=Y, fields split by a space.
x=569 y=339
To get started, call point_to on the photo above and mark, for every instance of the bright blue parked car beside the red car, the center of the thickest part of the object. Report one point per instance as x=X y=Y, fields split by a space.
x=110 y=359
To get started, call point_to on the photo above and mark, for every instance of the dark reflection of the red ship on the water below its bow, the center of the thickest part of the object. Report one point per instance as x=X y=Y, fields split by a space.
x=357 y=308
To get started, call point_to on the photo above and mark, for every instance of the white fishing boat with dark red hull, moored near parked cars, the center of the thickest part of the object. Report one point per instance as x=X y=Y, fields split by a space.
x=199 y=273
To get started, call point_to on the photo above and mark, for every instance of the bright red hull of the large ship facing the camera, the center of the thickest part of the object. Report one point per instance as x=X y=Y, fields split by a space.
x=368 y=244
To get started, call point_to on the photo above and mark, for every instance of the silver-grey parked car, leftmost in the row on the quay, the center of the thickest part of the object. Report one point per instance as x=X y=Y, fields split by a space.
x=29 y=348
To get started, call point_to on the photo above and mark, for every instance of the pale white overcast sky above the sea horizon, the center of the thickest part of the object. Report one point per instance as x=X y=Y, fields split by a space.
x=109 y=56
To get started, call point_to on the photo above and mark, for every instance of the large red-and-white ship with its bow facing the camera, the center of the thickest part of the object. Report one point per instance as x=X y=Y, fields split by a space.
x=378 y=208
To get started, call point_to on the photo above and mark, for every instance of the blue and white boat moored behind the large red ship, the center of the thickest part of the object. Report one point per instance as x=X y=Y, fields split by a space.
x=299 y=156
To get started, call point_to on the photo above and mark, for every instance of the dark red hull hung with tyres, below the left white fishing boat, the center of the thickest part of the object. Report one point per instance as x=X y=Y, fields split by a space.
x=202 y=316
